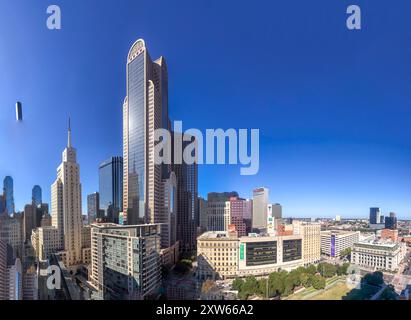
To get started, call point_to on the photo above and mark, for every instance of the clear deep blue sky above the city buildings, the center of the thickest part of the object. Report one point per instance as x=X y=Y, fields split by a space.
x=333 y=106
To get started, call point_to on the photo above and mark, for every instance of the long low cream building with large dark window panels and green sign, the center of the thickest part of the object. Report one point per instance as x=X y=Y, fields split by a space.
x=222 y=254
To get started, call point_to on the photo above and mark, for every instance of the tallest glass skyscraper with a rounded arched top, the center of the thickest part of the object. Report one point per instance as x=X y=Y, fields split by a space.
x=145 y=109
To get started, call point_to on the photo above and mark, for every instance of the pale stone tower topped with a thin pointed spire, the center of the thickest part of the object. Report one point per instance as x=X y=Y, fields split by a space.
x=66 y=205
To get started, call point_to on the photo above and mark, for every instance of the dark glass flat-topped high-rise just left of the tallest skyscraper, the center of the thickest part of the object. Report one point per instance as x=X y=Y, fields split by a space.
x=111 y=188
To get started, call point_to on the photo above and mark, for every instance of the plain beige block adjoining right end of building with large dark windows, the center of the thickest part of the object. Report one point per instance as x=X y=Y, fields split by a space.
x=311 y=236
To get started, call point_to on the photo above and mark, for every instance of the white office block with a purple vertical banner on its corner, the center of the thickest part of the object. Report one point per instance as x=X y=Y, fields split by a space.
x=335 y=241
